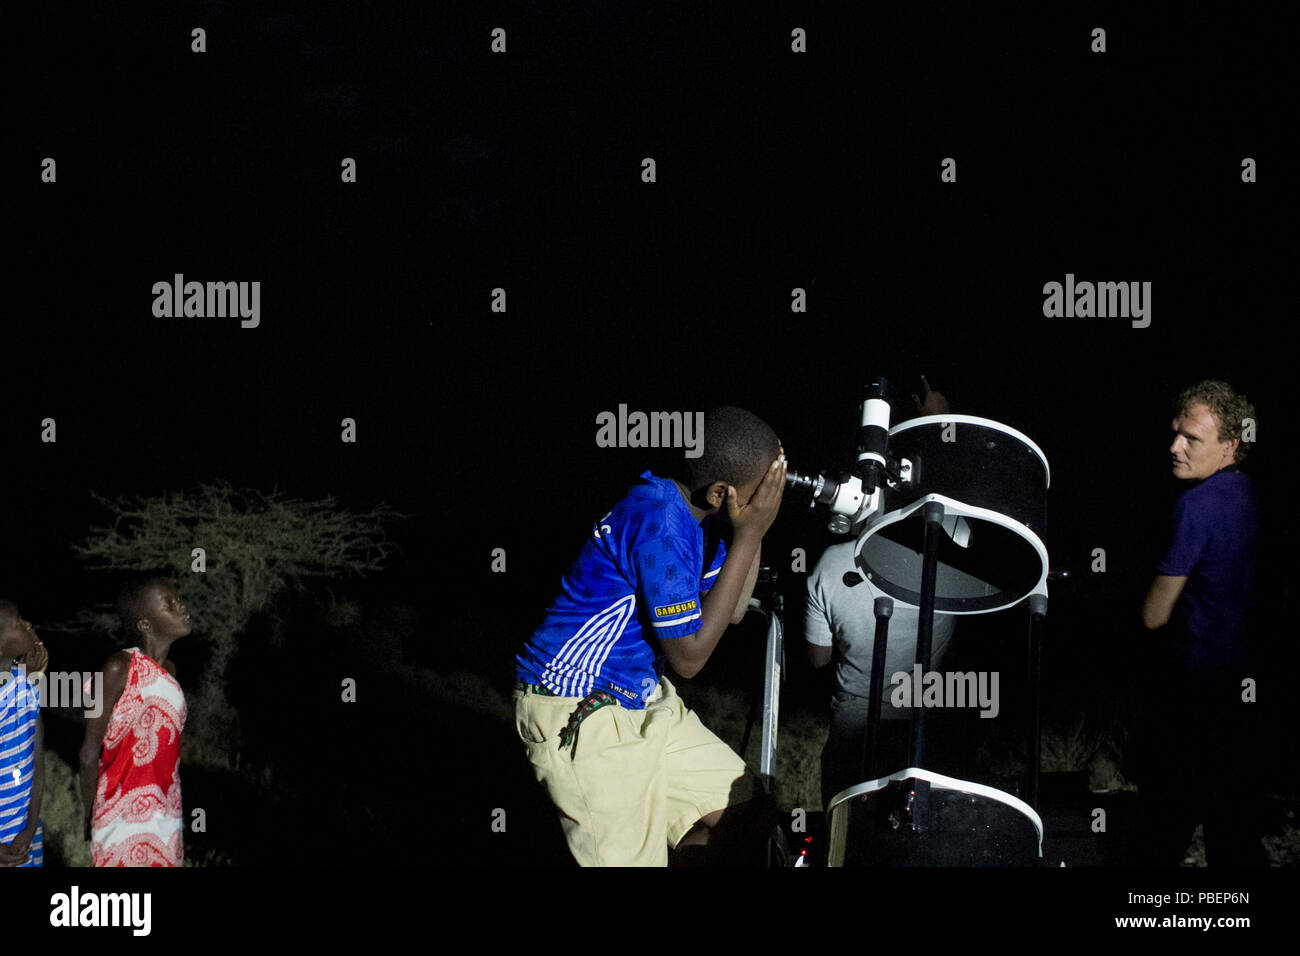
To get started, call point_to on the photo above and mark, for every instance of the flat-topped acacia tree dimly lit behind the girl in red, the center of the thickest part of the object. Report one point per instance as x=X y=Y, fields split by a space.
x=255 y=546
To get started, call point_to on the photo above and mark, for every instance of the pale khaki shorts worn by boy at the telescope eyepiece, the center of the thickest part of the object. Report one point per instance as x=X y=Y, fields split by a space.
x=636 y=782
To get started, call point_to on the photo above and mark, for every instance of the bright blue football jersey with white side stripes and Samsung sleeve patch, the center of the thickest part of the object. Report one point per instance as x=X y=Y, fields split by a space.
x=639 y=577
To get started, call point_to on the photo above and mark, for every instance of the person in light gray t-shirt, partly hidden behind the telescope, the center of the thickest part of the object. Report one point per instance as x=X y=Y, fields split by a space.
x=840 y=629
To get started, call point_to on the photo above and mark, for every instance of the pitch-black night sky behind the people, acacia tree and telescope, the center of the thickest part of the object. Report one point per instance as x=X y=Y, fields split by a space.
x=523 y=171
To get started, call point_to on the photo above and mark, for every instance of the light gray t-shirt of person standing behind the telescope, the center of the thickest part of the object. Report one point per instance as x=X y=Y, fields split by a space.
x=844 y=618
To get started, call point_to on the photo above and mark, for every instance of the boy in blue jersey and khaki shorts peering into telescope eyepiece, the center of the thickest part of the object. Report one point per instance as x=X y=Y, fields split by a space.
x=630 y=768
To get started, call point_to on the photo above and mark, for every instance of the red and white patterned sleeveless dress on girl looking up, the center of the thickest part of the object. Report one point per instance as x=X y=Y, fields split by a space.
x=137 y=820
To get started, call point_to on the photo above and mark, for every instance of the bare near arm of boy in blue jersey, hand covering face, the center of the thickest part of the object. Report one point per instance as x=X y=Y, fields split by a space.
x=751 y=522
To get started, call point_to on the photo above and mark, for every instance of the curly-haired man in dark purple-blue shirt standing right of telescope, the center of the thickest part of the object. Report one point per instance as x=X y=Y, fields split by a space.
x=1201 y=604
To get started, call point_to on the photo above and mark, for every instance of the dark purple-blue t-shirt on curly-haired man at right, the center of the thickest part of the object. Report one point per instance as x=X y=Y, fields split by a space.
x=1216 y=529
